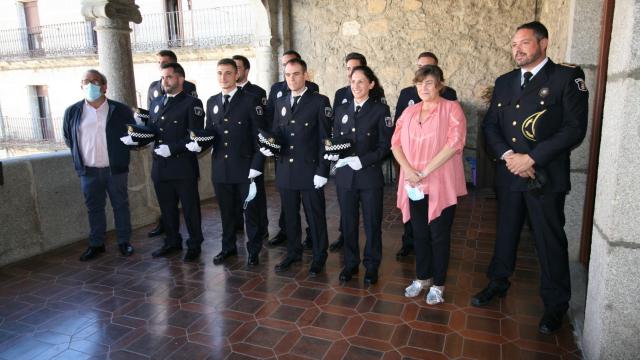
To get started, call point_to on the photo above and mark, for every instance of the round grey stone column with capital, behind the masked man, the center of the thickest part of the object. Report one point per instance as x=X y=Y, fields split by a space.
x=114 y=44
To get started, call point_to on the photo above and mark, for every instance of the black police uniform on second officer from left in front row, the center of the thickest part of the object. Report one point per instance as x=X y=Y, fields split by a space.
x=235 y=152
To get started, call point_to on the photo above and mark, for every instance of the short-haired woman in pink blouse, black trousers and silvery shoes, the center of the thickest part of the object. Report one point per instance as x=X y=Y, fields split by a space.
x=427 y=143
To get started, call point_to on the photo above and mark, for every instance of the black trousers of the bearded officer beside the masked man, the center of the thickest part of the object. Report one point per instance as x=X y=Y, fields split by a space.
x=169 y=192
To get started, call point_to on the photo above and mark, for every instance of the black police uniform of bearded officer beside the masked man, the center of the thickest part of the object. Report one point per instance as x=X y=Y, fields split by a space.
x=176 y=177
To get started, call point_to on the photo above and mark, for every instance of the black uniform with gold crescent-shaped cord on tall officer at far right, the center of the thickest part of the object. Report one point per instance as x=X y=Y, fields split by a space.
x=555 y=104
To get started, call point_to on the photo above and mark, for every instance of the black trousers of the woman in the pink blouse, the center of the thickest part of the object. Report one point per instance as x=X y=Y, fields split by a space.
x=431 y=240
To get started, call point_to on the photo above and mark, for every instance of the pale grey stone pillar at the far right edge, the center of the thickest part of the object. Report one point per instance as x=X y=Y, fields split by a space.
x=612 y=319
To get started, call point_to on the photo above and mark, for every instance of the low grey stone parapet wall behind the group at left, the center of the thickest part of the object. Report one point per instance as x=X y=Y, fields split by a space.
x=42 y=206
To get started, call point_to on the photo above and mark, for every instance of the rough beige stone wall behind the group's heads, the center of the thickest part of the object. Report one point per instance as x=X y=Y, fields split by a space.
x=470 y=37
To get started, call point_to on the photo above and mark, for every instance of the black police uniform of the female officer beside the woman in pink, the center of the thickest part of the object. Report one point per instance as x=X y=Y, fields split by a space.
x=370 y=129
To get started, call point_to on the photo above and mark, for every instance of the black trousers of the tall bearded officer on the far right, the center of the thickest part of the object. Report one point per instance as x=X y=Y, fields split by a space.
x=546 y=214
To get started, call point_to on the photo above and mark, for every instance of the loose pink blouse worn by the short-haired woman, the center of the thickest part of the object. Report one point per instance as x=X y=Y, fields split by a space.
x=444 y=125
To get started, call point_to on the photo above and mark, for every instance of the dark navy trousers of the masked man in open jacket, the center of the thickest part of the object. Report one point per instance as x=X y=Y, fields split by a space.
x=96 y=183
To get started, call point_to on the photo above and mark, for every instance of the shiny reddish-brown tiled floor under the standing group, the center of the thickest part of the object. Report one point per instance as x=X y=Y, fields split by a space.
x=53 y=306
